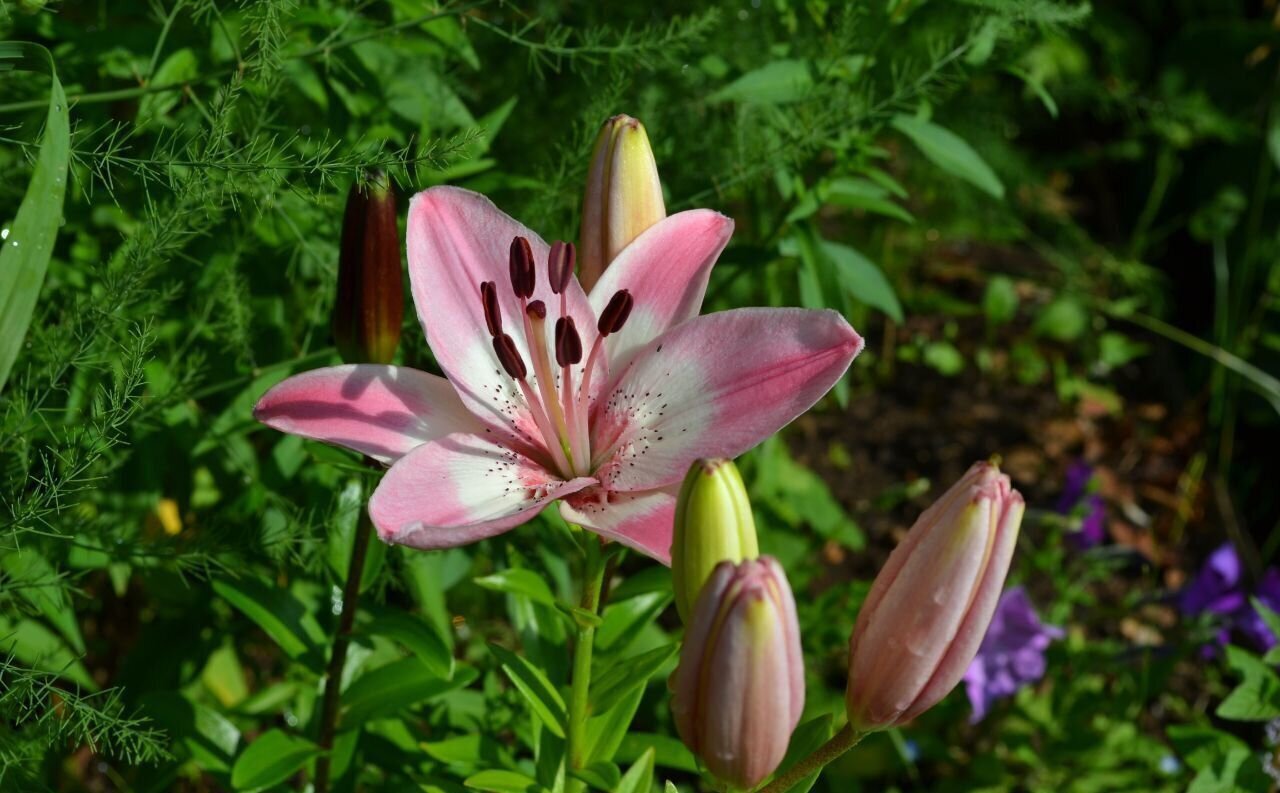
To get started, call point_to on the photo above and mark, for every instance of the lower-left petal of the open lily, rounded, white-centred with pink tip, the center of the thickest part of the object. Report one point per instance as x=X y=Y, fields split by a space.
x=461 y=489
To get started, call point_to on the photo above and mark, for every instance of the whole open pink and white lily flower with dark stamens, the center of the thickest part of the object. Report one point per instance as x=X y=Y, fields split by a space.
x=598 y=402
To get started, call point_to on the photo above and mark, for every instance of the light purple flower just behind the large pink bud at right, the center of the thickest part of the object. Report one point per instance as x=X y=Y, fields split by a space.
x=1012 y=654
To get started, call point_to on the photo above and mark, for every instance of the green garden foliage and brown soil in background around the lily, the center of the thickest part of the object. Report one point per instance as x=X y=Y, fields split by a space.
x=1054 y=223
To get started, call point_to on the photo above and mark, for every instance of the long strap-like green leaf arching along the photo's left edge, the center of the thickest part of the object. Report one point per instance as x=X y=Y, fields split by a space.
x=26 y=251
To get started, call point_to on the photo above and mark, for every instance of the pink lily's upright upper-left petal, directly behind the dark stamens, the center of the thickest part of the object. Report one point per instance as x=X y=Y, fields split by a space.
x=459 y=240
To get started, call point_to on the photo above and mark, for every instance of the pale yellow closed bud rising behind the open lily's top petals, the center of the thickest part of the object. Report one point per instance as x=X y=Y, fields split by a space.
x=624 y=196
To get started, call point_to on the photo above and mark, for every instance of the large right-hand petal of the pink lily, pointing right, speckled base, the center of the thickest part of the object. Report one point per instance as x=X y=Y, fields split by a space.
x=715 y=387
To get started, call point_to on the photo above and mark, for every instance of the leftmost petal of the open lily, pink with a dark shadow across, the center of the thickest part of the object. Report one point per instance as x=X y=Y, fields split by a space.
x=381 y=411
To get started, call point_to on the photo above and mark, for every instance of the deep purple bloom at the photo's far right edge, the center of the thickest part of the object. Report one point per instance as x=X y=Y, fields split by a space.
x=1219 y=590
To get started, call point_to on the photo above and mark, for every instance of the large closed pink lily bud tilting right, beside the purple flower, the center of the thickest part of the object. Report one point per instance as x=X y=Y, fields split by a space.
x=927 y=612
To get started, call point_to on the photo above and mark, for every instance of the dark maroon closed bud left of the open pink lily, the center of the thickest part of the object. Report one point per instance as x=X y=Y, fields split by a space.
x=367 y=317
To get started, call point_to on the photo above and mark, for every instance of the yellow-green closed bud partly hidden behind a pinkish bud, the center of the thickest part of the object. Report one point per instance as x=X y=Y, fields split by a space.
x=714 y=525
